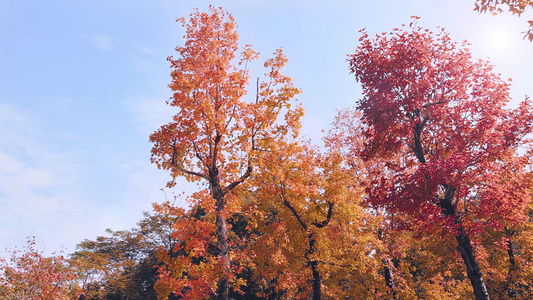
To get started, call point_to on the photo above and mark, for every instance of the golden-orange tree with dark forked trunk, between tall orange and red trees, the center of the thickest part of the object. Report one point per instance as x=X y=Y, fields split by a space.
x=296 y=182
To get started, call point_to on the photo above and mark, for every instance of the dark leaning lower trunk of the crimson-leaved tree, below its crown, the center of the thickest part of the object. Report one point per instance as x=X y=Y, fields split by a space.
x=472 y=267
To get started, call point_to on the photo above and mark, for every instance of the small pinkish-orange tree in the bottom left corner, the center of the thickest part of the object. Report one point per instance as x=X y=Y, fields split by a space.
x=30 y=275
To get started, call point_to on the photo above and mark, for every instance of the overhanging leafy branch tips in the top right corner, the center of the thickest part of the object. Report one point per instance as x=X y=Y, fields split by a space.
x=517 y=7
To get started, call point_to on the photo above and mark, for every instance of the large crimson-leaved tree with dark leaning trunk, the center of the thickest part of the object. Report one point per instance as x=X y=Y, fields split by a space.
x=447 y=152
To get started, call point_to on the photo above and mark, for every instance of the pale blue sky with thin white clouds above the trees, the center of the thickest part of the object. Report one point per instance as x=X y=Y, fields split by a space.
x=83 y=84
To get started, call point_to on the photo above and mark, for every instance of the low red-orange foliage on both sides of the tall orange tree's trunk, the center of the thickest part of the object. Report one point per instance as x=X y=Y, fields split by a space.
x=189 y=270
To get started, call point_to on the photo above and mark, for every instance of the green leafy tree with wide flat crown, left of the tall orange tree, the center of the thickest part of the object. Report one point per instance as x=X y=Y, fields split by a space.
x=123 y=264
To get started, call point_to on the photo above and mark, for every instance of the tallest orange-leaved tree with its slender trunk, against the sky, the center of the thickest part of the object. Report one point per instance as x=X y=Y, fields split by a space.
x=216 y=133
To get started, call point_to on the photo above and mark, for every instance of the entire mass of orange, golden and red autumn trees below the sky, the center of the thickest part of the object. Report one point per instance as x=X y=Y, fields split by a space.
x=422 y=189
